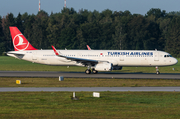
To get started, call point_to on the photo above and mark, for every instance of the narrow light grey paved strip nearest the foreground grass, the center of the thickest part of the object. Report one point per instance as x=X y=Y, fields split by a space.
x=91 y=89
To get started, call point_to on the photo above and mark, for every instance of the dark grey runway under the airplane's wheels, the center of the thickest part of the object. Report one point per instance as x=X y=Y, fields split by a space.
x=83 y=75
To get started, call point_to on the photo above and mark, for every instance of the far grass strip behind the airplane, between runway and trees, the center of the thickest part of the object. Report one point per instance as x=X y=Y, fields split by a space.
x=12 y=64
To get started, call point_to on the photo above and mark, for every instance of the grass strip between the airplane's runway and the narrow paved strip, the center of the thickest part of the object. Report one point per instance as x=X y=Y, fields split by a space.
x=85 y=82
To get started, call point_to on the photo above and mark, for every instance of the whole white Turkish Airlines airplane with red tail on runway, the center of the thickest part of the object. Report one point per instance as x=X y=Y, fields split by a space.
x=94 y=60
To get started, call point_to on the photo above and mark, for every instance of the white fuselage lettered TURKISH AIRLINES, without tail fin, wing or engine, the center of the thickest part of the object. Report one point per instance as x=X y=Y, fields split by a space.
x=116 y=57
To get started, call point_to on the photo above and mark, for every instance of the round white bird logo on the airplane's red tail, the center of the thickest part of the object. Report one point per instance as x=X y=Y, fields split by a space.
x=20 y=43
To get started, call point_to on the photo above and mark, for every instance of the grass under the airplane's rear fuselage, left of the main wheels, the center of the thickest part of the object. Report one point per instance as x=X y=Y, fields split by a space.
x=13 y=64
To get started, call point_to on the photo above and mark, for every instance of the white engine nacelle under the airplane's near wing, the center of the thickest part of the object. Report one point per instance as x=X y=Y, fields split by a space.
x=103 y=66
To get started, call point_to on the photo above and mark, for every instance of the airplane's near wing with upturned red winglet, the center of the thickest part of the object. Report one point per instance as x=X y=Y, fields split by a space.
x=78 y=60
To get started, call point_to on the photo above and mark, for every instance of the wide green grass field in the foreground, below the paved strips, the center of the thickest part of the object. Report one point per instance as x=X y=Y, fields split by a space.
x=126 y=105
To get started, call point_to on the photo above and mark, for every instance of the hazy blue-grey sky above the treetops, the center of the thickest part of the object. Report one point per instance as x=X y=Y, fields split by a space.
x=55 y=6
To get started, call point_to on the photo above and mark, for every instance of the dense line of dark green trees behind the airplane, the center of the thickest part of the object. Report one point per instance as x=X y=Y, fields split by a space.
x=100 y=30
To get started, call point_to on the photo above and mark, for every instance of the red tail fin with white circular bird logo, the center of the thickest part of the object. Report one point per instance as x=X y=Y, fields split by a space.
x=19 y=41
